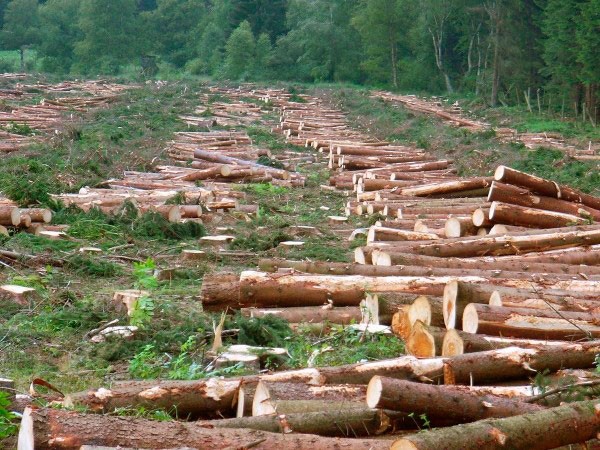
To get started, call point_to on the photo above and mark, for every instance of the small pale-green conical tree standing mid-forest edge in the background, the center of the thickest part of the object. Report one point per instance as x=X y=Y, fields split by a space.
x=240 y=52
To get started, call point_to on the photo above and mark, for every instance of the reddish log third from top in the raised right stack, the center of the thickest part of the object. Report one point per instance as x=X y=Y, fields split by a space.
x=531 y=218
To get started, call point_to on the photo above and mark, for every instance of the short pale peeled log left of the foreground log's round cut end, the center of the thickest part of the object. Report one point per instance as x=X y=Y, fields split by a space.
x=286 y=398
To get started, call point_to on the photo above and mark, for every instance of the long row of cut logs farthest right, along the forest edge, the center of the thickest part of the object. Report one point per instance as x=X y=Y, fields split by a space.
x=454 y=115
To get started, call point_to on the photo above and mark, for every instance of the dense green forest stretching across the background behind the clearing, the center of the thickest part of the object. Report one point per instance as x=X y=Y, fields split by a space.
x=504 y=51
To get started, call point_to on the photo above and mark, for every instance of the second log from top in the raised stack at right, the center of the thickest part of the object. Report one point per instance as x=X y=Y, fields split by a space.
x=518 y=196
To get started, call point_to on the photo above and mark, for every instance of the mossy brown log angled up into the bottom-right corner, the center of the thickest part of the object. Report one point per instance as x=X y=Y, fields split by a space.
x=545 y=429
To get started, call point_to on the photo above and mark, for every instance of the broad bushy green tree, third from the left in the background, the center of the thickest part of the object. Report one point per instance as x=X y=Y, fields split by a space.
x=110 y=35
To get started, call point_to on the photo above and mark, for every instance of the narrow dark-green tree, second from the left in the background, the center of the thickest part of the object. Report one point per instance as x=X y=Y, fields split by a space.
x=58 y=34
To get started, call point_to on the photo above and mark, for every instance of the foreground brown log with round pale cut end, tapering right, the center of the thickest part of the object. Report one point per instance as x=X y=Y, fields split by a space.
x=456 y=404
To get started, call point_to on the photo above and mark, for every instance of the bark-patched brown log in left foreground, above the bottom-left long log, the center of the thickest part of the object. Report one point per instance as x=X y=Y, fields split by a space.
x=205 y=398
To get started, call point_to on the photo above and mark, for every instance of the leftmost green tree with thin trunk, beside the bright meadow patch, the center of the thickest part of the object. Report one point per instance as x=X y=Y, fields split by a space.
x=21 y=25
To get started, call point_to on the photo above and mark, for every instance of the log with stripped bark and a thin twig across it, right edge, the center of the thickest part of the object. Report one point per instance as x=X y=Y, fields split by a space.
x=530 y=322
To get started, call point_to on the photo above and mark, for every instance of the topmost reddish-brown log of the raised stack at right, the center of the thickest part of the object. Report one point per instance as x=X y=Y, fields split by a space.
x=545 y=187
